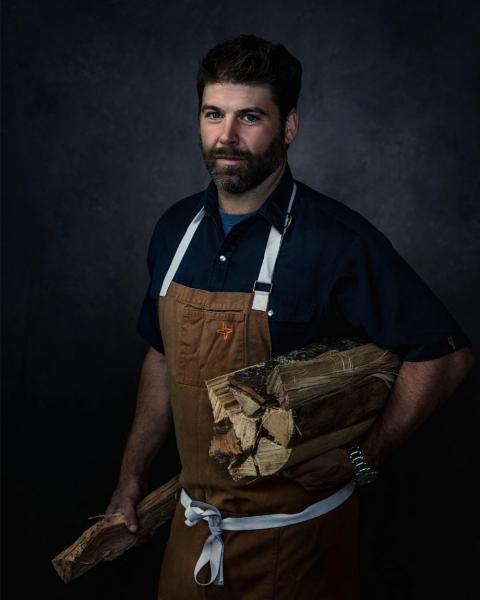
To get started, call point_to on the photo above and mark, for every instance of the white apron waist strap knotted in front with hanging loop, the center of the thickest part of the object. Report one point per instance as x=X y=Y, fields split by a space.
x=212 y=551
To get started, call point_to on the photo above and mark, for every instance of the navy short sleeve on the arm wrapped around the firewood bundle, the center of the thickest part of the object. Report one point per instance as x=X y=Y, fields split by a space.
x=382 y=297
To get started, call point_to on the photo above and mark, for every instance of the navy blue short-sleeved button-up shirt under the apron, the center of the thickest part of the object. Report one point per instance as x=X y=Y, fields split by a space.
x=336 y=274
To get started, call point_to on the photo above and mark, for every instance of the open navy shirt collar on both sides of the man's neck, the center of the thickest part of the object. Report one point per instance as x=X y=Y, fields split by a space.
x=273 y=209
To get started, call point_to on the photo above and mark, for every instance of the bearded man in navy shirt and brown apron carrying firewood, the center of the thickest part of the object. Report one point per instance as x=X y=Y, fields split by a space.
x=221 y=298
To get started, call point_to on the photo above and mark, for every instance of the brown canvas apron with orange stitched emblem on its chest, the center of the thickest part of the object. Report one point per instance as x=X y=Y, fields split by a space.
x=207 y=334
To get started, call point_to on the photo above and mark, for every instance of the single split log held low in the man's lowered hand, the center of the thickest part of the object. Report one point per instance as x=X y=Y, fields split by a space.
x=110 y=538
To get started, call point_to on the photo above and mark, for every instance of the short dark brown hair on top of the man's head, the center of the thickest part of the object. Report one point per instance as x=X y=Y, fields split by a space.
x=252 y=60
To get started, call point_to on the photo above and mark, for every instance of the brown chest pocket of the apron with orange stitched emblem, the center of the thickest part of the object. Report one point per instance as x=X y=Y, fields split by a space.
x=211 y=343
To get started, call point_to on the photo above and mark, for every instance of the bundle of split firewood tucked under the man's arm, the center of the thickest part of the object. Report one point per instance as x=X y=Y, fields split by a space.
x=287 y=410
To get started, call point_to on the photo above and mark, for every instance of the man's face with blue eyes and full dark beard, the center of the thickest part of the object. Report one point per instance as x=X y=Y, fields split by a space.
x=241 y=135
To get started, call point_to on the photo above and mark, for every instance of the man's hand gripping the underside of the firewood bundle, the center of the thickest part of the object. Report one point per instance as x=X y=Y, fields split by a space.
x=323 y=472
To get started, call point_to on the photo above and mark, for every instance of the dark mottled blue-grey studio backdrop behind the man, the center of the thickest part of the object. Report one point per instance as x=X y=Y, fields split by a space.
x=99 y=115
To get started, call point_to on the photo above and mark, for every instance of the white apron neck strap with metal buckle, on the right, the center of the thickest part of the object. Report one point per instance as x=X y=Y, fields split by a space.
x=263 y=285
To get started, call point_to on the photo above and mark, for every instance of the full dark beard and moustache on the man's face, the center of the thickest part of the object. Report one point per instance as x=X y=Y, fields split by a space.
x=250 y=172
